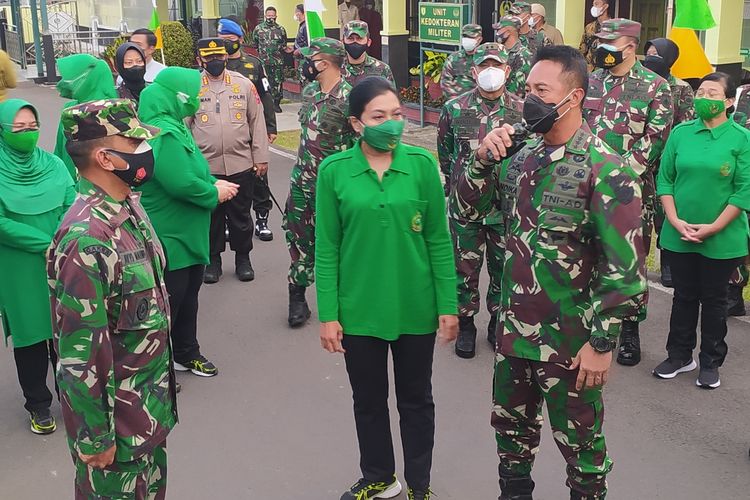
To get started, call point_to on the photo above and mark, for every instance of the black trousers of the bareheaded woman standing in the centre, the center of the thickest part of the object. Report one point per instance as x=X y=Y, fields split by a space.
x=367 y=366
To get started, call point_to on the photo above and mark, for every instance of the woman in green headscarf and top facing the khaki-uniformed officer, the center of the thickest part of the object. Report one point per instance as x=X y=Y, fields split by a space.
x=179 y=200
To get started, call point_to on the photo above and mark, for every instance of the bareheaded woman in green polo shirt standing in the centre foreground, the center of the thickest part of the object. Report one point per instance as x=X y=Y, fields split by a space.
x=386 y=280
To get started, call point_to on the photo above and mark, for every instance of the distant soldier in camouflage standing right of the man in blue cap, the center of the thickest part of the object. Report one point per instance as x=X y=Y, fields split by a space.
x=269 y=37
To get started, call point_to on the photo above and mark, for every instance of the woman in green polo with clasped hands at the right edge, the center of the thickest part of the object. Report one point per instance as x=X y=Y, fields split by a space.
x=704 y=184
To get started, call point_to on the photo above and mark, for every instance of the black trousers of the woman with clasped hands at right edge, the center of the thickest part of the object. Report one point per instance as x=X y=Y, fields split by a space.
x=699 y=283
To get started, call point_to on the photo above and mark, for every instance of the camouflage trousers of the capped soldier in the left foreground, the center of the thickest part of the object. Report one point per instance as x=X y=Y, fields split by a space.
x=142 y=479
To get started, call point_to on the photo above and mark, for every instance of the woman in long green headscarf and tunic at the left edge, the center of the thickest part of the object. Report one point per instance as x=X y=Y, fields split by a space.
x=35 y=193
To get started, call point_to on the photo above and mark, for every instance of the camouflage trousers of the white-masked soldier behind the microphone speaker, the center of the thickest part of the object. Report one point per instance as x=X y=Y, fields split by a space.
x=471 y=240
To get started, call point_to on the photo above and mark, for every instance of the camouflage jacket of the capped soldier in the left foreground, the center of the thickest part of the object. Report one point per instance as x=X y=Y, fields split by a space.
x=110 y=311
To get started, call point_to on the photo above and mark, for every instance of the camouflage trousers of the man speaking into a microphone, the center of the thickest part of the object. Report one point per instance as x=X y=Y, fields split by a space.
x=520 y=387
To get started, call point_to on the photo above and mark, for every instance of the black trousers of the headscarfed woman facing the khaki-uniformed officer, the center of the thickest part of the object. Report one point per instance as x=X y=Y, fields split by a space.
x=183 y=286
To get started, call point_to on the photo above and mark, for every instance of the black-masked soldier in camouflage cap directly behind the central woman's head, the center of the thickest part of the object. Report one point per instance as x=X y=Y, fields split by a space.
x=359 y=64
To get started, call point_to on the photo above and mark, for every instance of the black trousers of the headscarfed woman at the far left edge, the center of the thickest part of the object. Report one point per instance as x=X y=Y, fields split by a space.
x=32 y=363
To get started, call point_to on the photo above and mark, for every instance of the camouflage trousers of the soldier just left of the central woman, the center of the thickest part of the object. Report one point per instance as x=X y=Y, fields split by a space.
x=299 y=224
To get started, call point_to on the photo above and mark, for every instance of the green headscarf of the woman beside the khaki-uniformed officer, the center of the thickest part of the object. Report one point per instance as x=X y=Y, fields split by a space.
x=169 y=100
